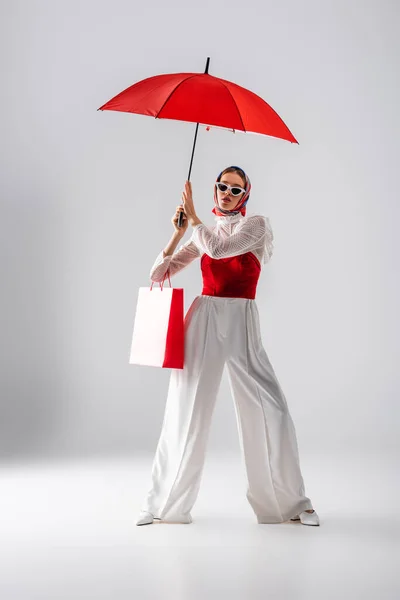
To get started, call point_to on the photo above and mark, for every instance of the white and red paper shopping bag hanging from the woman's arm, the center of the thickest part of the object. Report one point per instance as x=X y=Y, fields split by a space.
x=158 y=331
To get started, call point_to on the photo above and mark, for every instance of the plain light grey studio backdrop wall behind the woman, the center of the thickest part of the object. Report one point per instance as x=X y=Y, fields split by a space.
x=87 y=199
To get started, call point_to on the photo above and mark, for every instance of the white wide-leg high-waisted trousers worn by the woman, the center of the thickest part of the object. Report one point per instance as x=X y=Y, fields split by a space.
x=221 y=331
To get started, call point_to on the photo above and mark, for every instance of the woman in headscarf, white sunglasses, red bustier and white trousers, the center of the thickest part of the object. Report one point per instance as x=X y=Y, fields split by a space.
x=222 y=327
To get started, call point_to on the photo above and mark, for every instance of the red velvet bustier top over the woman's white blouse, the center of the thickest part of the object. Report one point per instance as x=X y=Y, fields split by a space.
x=233 y=277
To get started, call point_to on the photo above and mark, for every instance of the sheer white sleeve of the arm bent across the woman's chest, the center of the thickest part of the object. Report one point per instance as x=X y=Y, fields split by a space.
x=254 y=234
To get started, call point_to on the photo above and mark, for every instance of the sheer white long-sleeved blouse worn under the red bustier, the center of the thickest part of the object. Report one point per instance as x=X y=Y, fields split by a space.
x=230 y=236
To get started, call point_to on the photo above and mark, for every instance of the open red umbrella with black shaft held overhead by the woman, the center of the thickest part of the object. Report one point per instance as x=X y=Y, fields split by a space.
x=201 y=98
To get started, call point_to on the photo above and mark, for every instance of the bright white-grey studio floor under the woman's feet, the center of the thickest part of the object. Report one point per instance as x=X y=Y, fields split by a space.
x=68 y=532
